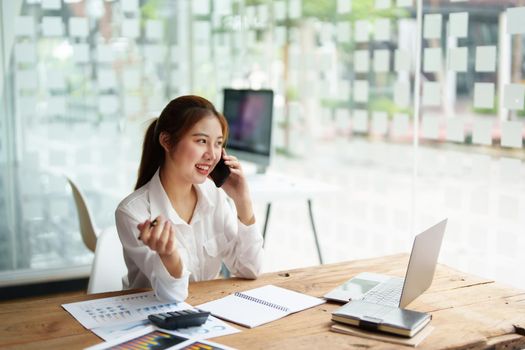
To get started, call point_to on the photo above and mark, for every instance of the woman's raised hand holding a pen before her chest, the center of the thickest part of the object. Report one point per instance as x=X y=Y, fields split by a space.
x=159 y=235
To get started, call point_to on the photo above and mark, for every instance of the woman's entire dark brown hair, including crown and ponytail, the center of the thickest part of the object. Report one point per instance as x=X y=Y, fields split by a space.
x=176 y=119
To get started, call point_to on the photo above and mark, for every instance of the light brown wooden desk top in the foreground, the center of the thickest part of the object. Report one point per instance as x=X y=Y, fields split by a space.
x=468 y=312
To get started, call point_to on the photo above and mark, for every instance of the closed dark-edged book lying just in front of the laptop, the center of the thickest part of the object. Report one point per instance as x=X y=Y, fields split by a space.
x=377 y=317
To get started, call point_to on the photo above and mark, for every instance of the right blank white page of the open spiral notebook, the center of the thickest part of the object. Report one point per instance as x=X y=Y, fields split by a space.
x=290 y=299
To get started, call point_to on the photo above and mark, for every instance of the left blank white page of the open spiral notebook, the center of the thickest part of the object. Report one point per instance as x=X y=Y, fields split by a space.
x=242 y=311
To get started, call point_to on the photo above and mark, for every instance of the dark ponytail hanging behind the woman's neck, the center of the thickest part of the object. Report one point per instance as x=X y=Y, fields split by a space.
x=152 y=155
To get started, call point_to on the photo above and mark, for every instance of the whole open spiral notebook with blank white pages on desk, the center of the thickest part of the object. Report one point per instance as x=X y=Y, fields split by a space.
x=261 y=305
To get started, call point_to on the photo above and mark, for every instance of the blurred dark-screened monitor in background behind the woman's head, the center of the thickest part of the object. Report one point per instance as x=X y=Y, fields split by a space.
x=249 y=115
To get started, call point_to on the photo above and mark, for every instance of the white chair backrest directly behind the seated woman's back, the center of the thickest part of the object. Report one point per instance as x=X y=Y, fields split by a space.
x=108 y=266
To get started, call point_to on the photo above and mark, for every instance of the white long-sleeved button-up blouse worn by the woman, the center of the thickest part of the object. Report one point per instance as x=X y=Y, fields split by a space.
x=214 y=235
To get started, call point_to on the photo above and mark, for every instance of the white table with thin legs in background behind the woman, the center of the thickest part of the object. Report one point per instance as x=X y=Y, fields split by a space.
x=270 y=187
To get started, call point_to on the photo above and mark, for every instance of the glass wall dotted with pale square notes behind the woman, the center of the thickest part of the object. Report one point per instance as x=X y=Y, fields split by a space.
x=415 y=108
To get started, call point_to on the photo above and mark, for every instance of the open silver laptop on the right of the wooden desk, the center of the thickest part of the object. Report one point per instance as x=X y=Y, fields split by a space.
x=395 y=291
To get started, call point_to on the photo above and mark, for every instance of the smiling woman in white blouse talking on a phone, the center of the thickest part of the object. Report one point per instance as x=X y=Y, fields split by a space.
x=177 y=226
